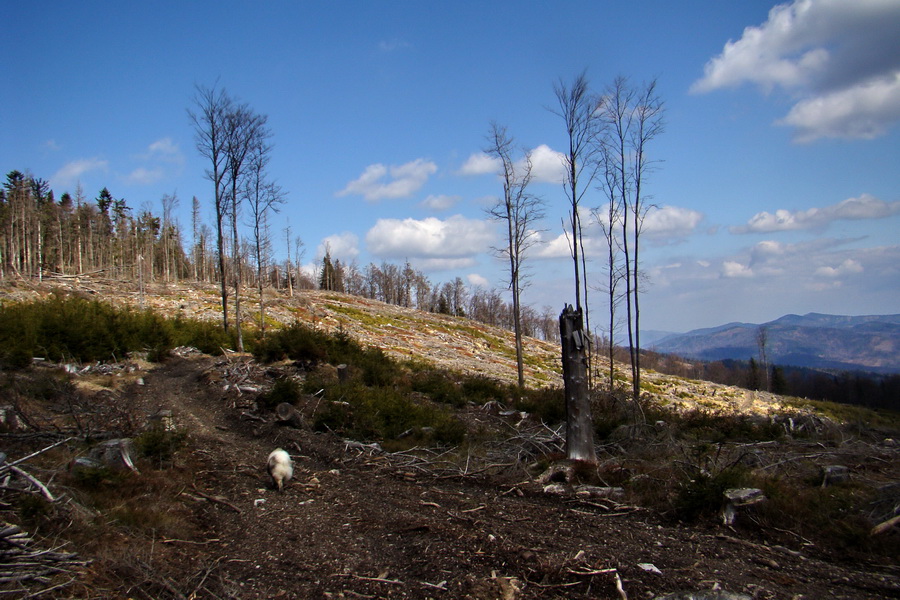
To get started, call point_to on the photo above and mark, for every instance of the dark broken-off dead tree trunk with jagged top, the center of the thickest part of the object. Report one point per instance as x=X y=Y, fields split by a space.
x=579 y=428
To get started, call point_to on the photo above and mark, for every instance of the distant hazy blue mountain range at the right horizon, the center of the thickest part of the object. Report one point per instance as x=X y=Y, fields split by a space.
x=828 y=342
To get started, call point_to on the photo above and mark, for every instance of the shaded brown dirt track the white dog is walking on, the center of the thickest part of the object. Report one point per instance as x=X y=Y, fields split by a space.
x=351 y=525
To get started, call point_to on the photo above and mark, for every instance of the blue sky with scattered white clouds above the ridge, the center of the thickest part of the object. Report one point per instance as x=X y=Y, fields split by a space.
x=778 y=189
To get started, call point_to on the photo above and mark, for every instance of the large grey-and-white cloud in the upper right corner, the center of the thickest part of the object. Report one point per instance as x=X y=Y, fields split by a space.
x=840 y=60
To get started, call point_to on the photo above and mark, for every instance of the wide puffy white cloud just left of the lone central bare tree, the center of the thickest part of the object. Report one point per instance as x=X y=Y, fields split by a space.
x=431 y=238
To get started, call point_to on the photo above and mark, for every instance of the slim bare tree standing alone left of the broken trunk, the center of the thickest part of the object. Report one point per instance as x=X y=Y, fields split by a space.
x=519 y=210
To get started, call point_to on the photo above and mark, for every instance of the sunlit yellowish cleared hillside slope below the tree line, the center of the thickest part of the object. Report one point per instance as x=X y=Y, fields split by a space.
x=453 y=343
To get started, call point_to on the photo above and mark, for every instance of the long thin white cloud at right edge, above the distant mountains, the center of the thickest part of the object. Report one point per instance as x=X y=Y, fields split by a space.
x=862 y=207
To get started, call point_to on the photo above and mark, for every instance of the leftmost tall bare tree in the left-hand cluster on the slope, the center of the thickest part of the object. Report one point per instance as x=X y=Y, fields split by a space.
x=209 y=118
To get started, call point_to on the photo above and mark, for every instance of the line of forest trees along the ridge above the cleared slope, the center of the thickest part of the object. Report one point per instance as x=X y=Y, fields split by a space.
x=42 y=237
